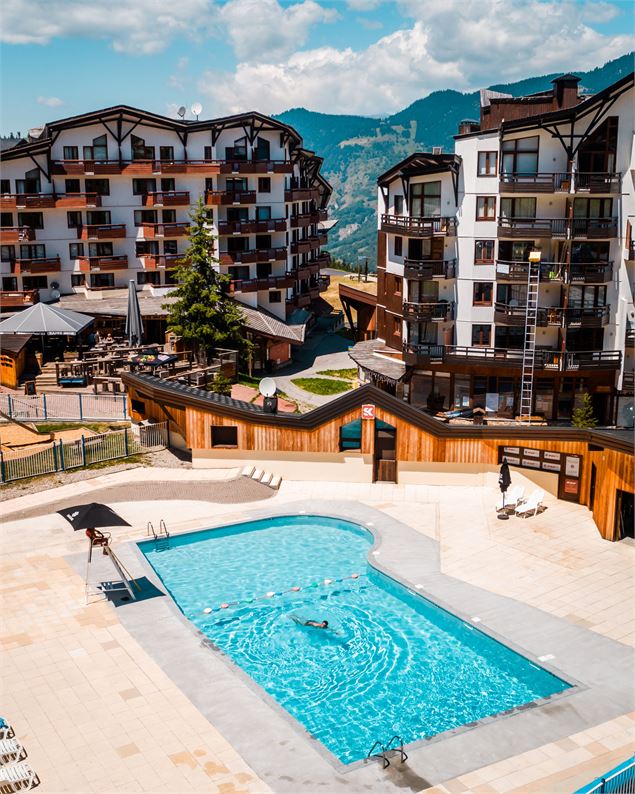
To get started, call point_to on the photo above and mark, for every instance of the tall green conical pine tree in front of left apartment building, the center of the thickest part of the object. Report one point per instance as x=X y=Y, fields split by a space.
x=204 y=314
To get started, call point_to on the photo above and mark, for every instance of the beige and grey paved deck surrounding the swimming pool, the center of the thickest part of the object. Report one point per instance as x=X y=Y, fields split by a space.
x=109 y=698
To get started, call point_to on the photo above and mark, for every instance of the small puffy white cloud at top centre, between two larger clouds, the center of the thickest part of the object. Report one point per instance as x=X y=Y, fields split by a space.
x=263 y=29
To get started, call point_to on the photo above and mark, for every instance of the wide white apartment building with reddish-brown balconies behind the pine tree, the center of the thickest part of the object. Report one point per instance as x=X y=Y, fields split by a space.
x=101 y=198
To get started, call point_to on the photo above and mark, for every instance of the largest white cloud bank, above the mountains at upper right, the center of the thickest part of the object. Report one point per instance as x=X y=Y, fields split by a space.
x=461 y=44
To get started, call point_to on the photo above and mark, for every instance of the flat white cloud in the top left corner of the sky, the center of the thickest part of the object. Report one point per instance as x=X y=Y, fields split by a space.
x=141 y=27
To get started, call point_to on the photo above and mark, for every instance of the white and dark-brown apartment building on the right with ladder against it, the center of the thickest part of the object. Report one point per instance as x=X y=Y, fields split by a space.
x=551 y=173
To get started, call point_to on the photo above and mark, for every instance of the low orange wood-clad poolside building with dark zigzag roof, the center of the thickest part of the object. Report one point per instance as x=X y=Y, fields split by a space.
x=378 y=437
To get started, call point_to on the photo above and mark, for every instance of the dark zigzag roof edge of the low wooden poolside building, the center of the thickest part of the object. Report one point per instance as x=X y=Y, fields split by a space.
x=170 y=393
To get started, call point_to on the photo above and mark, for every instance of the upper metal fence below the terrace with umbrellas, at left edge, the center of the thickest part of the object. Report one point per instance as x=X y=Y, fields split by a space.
x=57 y=405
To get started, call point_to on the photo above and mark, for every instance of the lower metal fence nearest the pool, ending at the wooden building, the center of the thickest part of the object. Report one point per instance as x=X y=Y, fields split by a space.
x=62 y=456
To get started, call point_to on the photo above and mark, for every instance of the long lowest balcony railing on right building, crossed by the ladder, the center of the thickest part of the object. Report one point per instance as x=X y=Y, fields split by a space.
x=546 y=360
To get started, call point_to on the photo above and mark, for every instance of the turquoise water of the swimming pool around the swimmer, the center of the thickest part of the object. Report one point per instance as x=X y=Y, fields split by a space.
x=391 y=662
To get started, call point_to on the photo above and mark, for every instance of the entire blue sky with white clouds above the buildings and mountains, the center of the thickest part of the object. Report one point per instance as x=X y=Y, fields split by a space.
x=62 y=57
